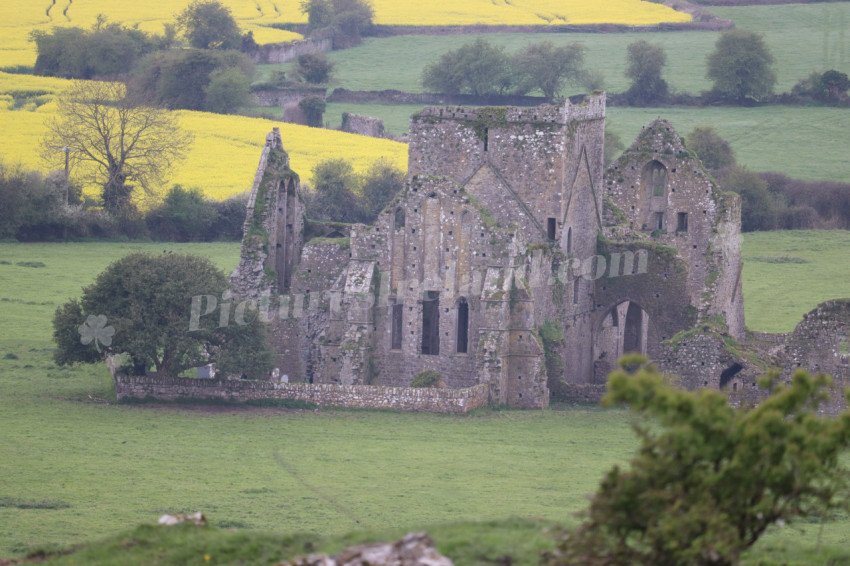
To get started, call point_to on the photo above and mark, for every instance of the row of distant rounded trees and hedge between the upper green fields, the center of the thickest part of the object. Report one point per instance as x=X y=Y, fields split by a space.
x=740 y=68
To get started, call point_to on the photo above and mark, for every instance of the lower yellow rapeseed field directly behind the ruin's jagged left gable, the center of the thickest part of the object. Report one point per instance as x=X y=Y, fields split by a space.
x=224 y=156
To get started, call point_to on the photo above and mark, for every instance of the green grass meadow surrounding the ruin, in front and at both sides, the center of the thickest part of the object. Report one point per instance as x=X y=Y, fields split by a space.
x=99 y=469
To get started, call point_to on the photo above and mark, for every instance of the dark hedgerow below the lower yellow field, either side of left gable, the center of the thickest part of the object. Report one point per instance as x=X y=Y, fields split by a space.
x=44 y=207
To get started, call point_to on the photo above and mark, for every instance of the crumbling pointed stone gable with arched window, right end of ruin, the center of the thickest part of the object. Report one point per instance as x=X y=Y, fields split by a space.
x=666 y=196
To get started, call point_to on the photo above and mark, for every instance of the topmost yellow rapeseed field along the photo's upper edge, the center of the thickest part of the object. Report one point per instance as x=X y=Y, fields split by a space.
x=18 y=19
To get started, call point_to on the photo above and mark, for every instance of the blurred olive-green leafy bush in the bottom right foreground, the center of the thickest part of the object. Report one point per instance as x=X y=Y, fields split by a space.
x=708 y=479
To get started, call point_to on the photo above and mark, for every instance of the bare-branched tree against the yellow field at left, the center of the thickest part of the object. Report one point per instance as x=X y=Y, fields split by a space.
x=119 y=145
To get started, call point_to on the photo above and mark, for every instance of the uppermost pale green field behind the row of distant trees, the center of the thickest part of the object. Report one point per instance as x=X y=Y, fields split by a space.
x=802 y=37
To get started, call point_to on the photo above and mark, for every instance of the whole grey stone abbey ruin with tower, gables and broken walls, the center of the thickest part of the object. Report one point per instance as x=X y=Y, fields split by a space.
x=512 y=264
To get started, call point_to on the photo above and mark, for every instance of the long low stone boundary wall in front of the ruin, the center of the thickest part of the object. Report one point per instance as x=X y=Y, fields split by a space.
x=452 y=401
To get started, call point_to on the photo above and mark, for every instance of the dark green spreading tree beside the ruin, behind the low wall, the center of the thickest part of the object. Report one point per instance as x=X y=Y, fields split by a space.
x=142 y=306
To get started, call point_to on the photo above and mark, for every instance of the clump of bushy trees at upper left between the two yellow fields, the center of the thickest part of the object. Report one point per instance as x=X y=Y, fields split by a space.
x=213 y=74
